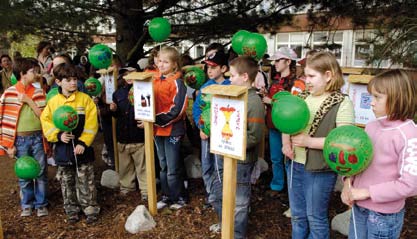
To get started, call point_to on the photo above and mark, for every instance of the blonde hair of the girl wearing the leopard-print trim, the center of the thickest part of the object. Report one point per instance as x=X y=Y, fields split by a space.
x=326 y=61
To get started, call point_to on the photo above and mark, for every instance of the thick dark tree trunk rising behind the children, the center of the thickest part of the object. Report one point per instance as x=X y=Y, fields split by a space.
x=129 y=28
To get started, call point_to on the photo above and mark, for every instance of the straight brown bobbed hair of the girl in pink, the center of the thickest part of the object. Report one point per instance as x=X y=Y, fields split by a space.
x=401 y=91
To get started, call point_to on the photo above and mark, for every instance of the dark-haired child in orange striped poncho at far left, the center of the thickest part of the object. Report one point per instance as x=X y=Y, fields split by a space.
x=21 y=132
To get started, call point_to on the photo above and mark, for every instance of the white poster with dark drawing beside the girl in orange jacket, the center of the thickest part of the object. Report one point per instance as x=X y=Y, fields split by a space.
x=144 y=100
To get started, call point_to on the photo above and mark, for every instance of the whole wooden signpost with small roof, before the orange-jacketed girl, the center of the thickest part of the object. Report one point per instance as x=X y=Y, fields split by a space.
x=145 y=111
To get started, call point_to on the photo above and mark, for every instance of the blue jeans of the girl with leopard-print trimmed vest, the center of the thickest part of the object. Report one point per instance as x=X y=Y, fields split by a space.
x=309 y=196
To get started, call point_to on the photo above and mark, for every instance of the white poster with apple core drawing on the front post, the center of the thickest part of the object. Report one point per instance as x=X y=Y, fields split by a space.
x=228 y=127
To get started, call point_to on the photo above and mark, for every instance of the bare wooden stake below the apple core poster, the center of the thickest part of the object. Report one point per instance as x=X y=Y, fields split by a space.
x=229 y=197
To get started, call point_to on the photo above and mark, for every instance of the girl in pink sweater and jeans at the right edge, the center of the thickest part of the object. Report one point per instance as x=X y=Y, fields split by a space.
x=378 y=194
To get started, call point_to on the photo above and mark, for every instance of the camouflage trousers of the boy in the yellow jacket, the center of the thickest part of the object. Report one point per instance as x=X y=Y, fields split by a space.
x=78 y=191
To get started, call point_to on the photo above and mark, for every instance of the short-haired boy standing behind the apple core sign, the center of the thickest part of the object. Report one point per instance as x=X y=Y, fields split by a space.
x=243 y=71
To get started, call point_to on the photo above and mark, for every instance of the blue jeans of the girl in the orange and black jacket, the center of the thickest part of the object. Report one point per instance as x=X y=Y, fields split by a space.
x=172 y=166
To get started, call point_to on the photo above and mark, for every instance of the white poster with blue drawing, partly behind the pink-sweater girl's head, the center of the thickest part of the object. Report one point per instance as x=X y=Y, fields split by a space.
x=361 y=99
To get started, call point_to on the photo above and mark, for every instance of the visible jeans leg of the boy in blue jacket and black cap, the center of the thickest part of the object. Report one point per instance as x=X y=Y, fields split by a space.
x=207 y=163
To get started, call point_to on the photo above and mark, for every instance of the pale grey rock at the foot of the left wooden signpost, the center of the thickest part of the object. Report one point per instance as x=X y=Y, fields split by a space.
x=140 y=220
